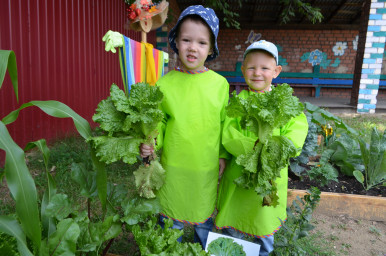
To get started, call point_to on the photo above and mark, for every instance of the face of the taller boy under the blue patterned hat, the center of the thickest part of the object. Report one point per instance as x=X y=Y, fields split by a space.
x=193 y=44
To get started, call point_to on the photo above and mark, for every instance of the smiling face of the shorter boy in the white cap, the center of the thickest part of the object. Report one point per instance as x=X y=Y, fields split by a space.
x=259 y=68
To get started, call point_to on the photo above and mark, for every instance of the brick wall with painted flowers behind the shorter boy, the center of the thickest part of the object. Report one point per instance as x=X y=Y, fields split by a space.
x=292 y=44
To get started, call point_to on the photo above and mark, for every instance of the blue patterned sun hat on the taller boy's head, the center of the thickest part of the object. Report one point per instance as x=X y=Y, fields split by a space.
x=210 y=18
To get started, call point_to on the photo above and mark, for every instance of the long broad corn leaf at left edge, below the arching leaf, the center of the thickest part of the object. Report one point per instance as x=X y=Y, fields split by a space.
x=21 y=185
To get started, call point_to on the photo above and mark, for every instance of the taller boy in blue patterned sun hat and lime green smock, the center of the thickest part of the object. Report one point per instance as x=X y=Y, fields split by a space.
x=190 y=135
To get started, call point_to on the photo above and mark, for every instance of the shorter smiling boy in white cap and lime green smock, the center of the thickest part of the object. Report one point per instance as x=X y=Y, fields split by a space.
x=240 y=210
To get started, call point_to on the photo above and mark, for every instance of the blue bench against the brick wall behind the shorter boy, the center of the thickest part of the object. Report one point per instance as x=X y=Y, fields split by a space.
x=315 y=80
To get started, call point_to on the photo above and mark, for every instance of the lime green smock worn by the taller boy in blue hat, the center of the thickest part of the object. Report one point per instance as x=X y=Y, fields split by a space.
x=190 y=137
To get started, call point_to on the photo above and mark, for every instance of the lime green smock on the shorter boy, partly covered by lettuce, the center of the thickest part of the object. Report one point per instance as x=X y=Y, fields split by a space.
x=242 y=209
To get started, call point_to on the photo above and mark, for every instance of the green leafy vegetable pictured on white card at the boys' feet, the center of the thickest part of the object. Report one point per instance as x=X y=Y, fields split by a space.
x=225 y=246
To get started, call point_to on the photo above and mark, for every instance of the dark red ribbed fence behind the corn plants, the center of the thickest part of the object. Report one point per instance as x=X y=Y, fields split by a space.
x=60 y=56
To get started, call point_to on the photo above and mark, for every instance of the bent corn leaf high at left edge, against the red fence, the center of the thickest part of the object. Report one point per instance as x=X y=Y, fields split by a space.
x=8 y=61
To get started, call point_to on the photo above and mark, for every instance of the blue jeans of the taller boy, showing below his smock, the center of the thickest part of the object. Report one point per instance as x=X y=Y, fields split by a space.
x=201 y=231
